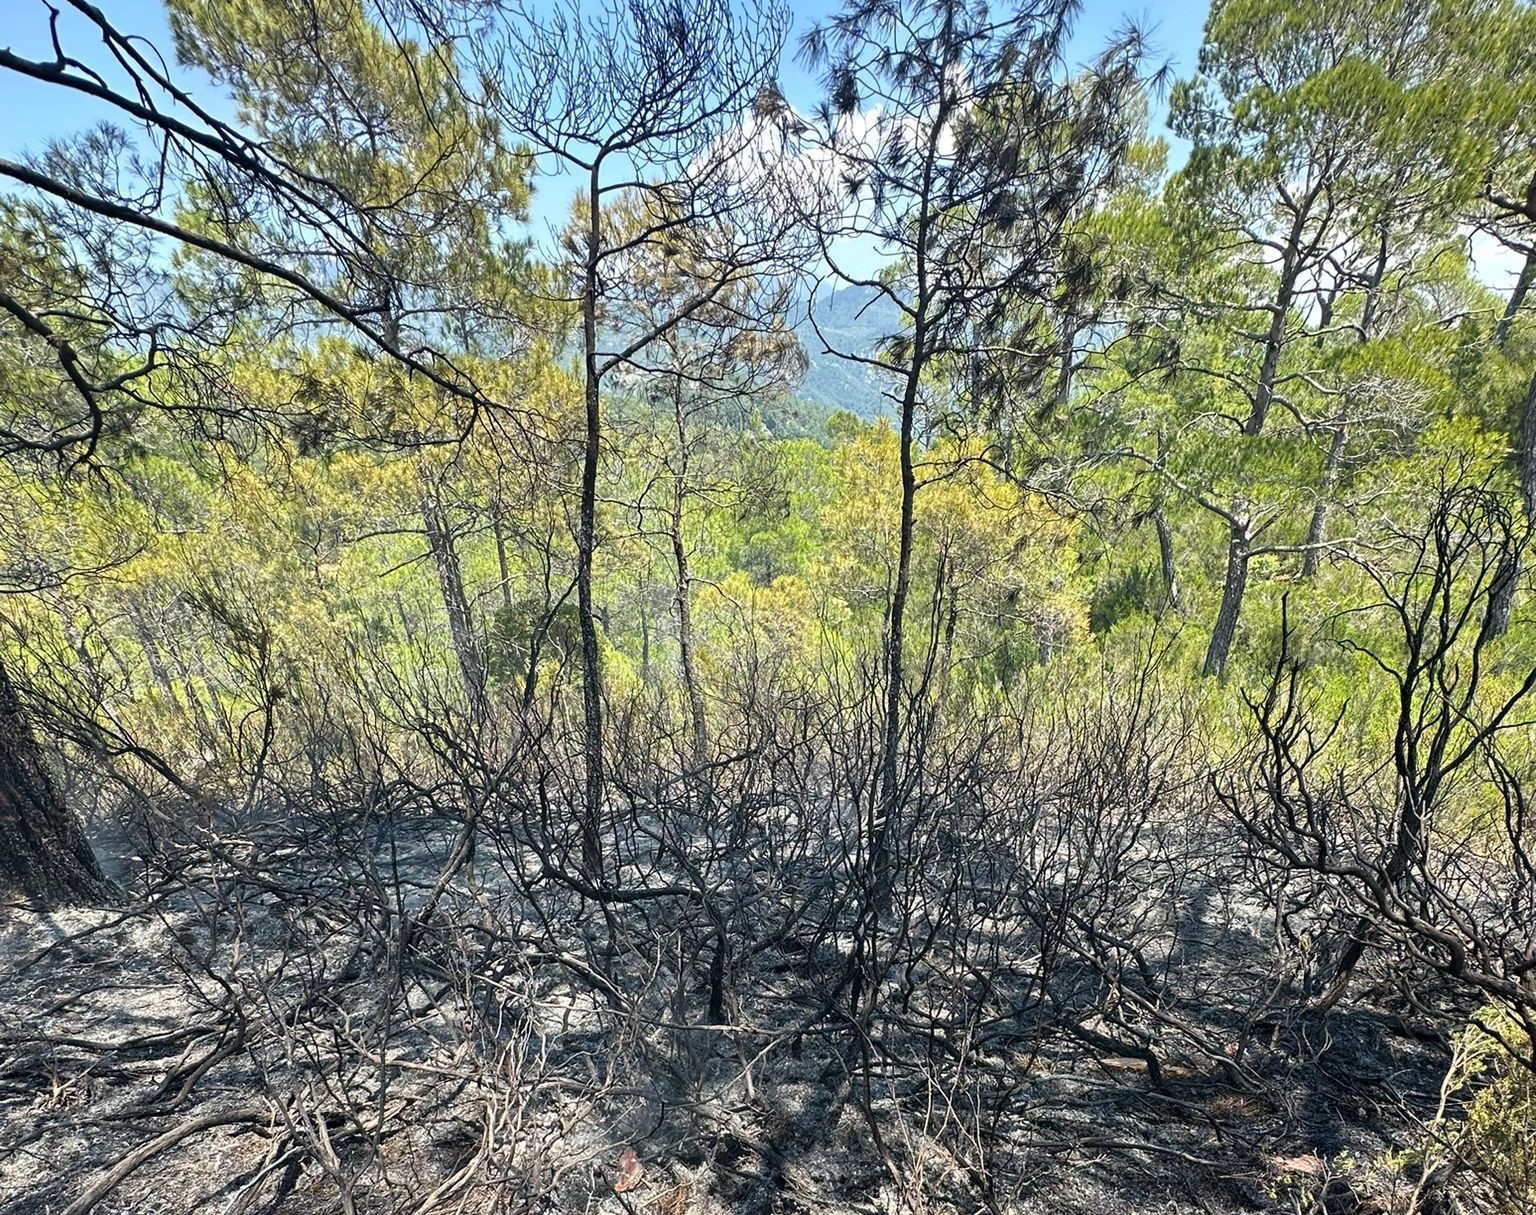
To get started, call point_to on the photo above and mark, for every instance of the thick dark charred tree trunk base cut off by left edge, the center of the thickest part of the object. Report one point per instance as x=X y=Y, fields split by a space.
x=44 y=850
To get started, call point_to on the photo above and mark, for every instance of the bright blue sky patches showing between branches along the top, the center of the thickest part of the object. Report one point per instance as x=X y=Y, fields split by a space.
x=31 y=114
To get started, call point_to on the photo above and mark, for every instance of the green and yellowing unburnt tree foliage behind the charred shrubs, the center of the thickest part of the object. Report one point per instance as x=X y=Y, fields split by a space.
x=294 y=517
